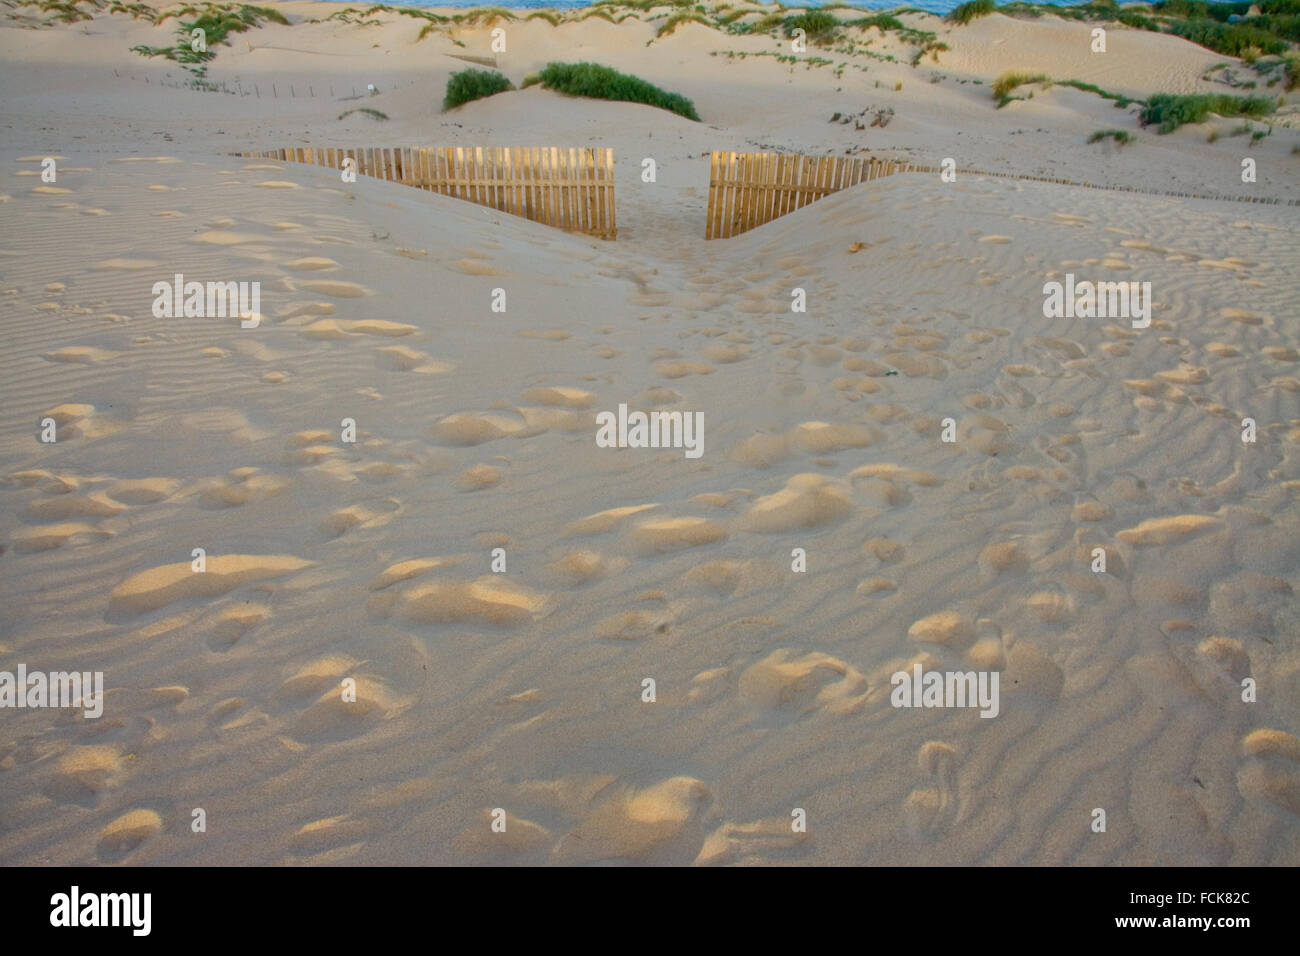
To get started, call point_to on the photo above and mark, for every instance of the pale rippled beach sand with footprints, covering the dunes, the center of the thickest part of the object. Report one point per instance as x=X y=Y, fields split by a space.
x=476 y=690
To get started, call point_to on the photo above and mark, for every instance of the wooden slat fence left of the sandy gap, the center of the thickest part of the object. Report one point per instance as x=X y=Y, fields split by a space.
x=571 y=189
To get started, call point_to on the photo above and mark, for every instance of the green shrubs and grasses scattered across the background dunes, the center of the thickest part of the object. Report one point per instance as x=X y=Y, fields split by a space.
x=1266 y=41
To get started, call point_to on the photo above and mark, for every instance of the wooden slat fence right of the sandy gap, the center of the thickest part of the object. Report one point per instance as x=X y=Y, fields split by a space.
x=749 y=189
